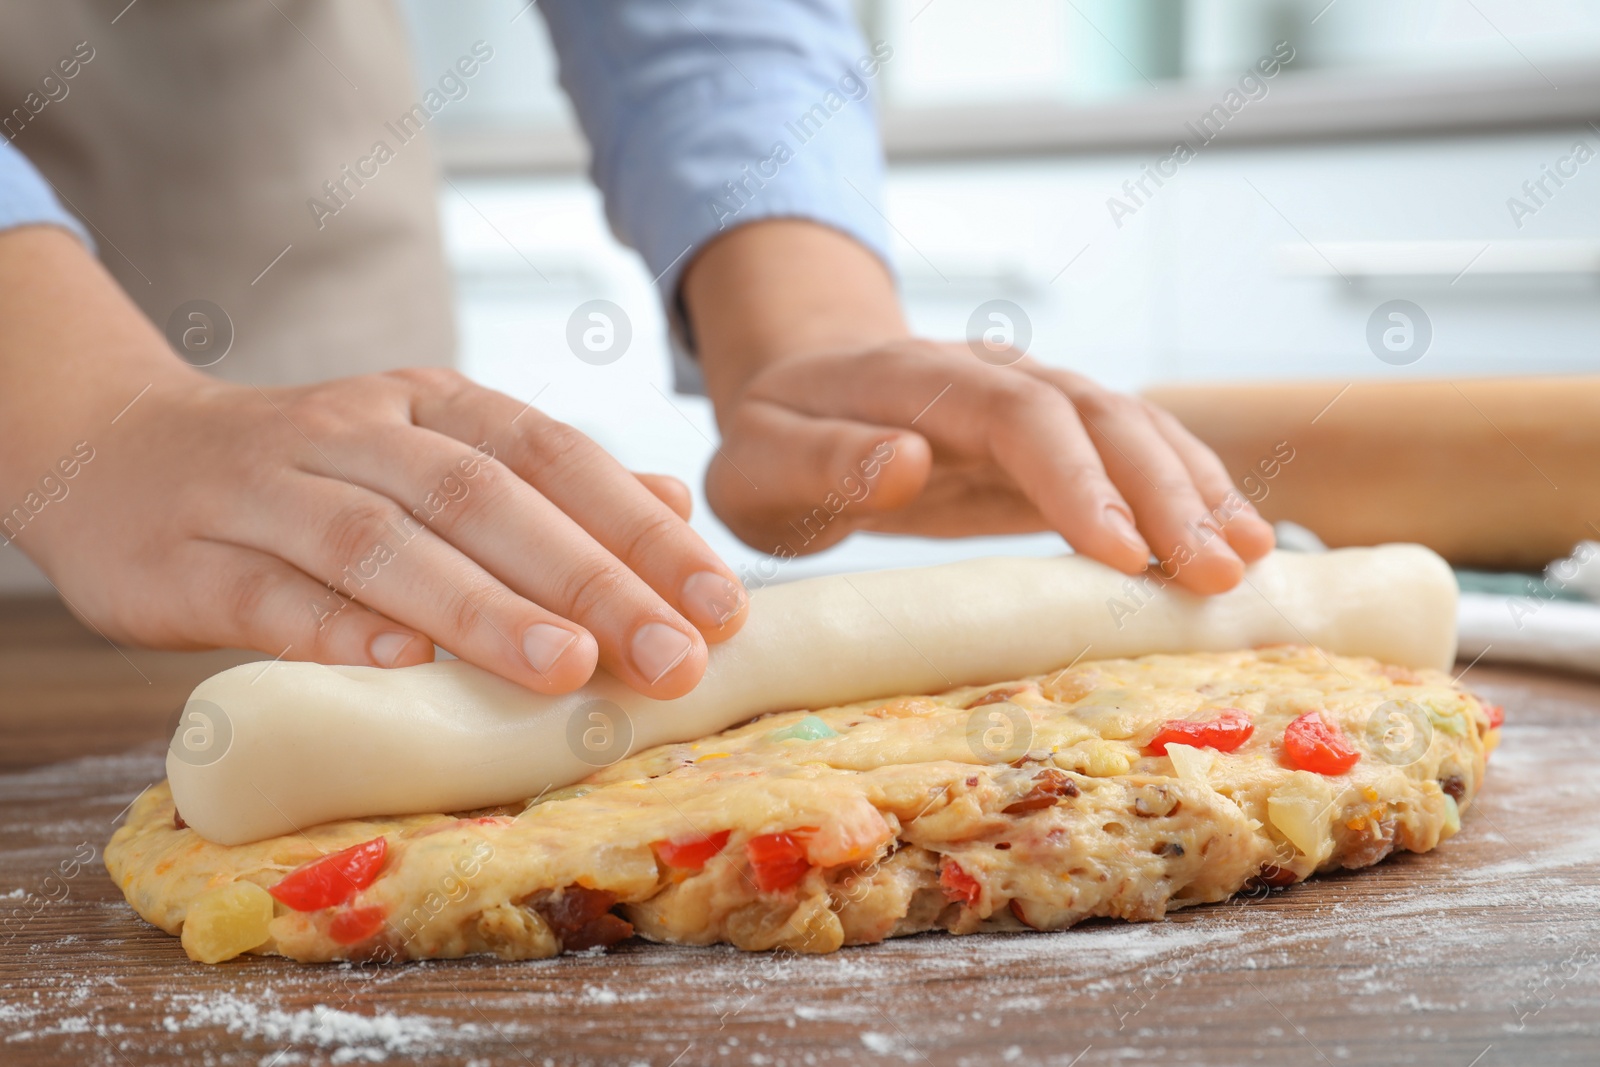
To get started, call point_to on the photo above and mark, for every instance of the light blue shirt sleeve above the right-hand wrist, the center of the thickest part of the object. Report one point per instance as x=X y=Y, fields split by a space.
x=710 y=114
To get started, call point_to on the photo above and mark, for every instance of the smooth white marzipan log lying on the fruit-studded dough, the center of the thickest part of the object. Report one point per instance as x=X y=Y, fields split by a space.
x=266 y=751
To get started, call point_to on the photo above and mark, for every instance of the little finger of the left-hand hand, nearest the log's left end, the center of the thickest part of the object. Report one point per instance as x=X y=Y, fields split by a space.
x=255 y=601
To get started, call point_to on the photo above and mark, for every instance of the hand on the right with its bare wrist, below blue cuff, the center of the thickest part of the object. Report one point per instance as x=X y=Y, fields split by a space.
x=820 y=386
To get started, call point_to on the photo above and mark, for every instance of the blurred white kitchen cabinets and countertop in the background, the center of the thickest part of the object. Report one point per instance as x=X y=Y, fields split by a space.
x=1378 y=166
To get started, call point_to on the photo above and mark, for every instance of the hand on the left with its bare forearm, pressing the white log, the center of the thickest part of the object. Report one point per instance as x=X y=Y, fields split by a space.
x=354 y=522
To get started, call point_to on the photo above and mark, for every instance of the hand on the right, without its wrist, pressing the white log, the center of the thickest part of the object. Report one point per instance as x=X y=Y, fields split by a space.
x=922 y=438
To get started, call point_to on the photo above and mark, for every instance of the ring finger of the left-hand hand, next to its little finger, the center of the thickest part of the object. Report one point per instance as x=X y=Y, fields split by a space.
x=377 y=554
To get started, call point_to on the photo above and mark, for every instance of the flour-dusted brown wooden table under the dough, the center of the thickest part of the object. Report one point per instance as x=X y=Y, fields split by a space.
x=1482 y=954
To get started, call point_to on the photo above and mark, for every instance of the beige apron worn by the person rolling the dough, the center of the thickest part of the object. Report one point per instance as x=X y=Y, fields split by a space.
x=191 y=143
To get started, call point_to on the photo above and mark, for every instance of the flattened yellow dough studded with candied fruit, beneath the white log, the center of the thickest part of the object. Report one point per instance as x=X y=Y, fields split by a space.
x=1033 y=804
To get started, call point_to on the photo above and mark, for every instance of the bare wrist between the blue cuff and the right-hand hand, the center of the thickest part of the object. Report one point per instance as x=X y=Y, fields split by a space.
x=778 y=290
